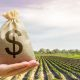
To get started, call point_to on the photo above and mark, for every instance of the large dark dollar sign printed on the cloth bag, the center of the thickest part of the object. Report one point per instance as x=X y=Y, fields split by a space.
x=14 y=43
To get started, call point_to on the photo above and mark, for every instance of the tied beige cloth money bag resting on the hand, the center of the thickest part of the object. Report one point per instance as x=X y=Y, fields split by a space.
x=15 y=45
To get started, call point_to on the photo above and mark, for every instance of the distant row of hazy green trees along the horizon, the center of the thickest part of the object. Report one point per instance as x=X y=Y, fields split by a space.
x=45 y=51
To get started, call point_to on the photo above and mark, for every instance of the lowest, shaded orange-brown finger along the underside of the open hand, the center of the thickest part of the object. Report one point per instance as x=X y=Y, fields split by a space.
x=19 y=71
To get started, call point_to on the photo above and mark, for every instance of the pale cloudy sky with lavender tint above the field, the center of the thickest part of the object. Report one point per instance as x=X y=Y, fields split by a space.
x=51 y=23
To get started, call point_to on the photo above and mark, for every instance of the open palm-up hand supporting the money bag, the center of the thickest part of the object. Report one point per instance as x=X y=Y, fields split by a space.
x=17 y=68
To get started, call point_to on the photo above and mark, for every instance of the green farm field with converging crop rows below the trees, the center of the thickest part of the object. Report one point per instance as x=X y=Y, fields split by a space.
x=53 y=67
